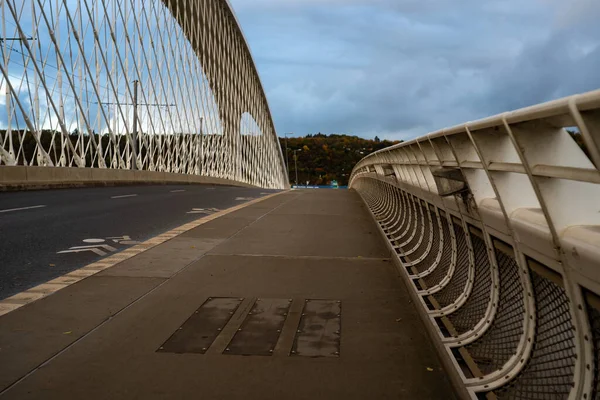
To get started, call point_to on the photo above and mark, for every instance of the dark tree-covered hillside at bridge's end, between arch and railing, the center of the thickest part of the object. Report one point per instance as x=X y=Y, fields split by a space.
x=323 y=158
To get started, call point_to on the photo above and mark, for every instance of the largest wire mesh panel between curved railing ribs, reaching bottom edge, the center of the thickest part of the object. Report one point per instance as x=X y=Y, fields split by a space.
x=549 y=372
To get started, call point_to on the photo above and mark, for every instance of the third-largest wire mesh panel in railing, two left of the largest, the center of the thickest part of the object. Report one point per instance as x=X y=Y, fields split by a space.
x=466 y=317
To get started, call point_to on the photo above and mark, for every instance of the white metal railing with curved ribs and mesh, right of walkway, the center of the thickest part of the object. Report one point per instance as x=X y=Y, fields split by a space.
x=496 y=225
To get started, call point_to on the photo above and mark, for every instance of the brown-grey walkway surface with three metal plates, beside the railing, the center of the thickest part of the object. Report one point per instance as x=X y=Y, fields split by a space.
x=293 y=297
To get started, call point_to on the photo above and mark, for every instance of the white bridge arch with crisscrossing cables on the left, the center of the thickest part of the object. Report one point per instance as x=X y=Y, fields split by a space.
x=137 y=89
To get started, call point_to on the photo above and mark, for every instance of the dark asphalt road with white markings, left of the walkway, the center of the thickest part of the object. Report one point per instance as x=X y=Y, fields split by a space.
x=36 y=225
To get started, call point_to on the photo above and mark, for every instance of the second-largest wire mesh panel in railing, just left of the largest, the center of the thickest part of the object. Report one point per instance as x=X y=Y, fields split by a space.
x=500 y=342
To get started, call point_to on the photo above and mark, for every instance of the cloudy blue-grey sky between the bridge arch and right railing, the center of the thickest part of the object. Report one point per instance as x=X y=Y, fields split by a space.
x=402 y=68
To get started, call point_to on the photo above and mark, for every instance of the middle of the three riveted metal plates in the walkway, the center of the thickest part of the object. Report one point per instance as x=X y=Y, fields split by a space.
x=260 y=330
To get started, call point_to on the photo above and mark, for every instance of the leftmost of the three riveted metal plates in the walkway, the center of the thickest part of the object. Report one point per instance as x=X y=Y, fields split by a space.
x=201 y=329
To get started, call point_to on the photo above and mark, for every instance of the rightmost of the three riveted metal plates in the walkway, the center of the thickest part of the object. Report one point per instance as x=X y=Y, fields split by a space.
x=320 y=329
